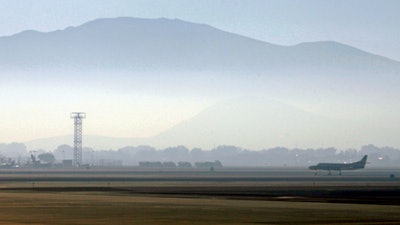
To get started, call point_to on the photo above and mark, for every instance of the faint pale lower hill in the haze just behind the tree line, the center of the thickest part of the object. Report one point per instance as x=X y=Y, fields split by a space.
x=254 y=123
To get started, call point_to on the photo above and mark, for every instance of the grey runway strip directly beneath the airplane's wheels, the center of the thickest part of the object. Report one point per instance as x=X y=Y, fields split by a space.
x=136 y=174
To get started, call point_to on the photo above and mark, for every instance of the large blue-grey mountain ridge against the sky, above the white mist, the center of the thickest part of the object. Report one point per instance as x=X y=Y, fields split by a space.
x=131 y=44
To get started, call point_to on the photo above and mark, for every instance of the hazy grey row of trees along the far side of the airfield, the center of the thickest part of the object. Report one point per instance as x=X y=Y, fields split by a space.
x=227 y=155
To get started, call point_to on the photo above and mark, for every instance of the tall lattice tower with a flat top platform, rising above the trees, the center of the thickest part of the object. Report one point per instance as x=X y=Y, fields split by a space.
x=78 y=116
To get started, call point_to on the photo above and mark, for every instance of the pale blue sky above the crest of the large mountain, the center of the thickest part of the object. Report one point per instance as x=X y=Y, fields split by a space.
x=371 y=25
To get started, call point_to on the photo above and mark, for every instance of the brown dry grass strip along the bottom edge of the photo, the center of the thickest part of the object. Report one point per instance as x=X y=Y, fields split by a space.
x=116 y=208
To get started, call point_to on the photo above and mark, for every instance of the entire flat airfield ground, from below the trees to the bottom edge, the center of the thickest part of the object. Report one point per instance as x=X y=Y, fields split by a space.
x=173 y=197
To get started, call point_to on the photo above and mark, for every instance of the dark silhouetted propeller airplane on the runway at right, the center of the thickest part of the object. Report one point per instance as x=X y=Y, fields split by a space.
x=340 y=166
